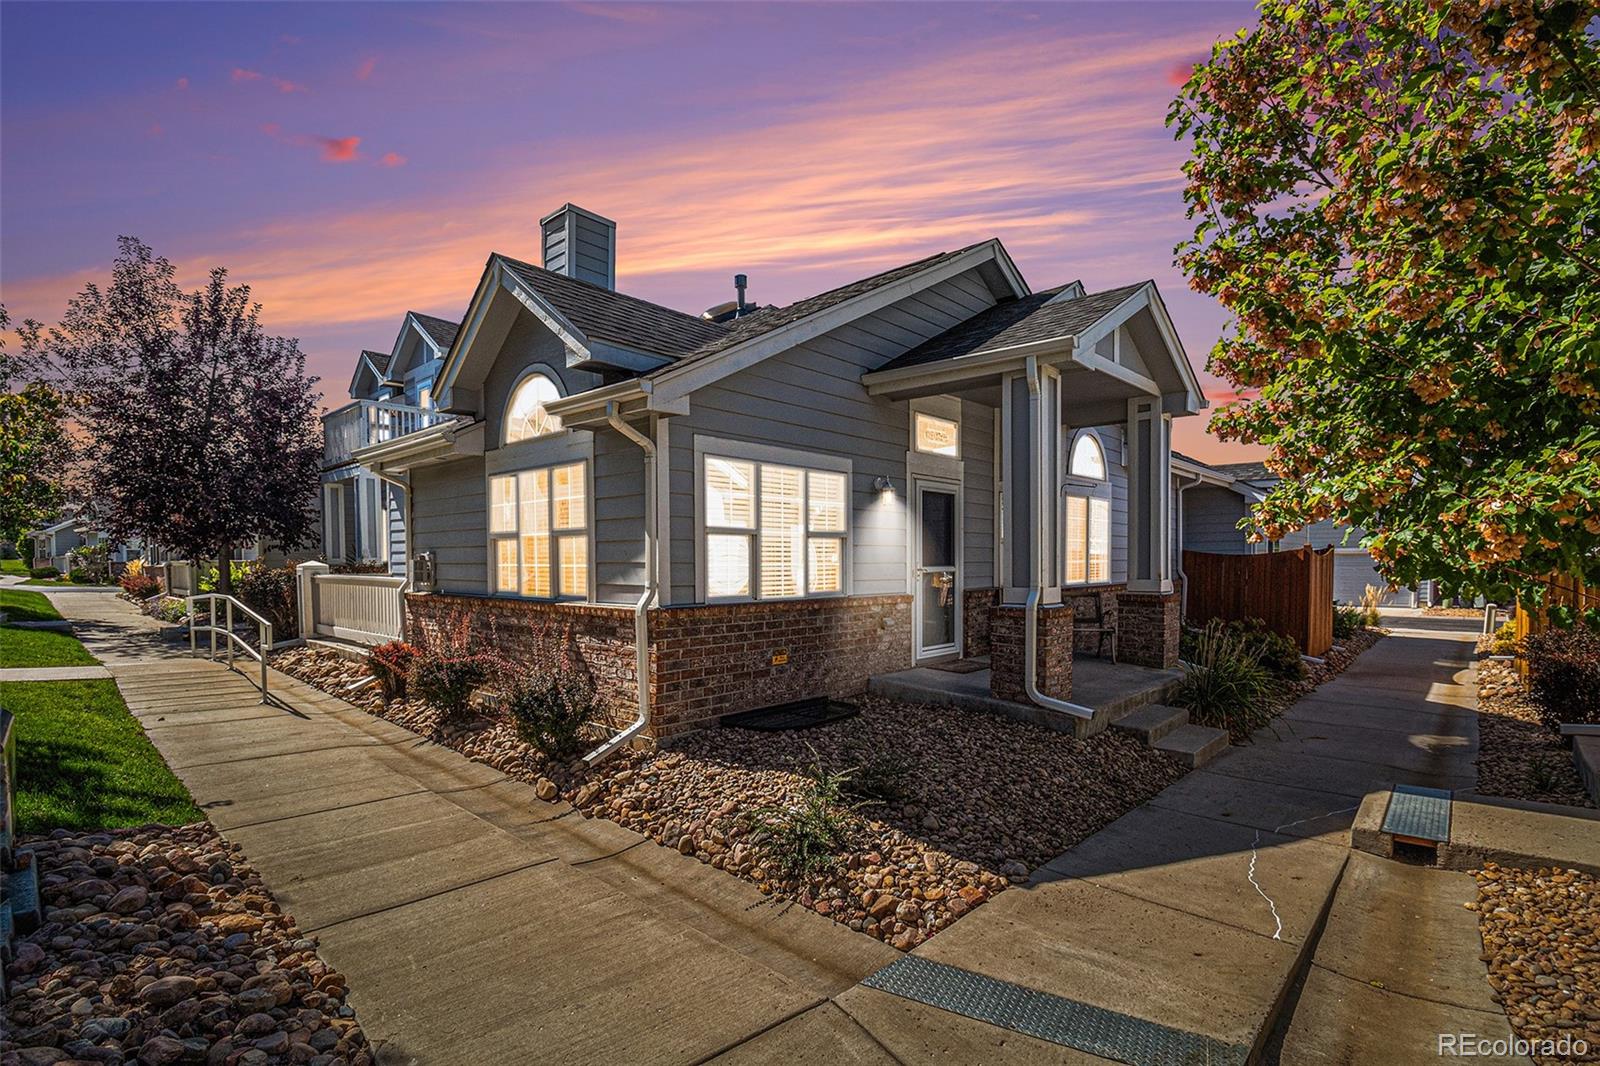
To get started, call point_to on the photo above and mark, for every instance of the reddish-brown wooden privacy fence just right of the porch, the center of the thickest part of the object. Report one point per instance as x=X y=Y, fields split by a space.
x=1290 y=591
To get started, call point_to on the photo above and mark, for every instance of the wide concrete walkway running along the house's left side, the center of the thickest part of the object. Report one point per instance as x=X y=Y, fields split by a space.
x=476 y=923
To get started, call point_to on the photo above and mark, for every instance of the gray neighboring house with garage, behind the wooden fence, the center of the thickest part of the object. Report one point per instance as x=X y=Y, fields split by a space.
x=1218 y=497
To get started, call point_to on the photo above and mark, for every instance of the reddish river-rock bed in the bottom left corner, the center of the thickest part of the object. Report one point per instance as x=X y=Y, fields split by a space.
x=162 y=945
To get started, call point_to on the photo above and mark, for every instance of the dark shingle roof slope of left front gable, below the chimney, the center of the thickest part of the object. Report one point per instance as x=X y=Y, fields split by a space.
x=604 y=315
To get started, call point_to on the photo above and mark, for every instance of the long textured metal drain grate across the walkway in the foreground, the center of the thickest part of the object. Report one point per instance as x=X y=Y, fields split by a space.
x=1052 y=1019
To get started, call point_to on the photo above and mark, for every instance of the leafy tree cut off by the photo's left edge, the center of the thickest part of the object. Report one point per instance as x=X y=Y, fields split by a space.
x=33 y=444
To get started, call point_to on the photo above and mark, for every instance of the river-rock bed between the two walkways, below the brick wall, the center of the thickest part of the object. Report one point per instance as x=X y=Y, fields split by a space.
x=964 y=804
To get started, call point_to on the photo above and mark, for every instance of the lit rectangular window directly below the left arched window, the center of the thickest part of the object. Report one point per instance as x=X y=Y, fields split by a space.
x=540 y=532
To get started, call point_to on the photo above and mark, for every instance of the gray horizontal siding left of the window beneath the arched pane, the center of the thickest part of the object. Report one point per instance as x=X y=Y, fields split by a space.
x=450 y=518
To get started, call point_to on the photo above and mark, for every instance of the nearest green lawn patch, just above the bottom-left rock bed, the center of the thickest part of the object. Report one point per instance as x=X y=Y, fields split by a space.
x=82 y=761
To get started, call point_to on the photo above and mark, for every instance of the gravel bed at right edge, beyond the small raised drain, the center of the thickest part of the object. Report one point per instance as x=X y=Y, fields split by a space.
x=1519 y=756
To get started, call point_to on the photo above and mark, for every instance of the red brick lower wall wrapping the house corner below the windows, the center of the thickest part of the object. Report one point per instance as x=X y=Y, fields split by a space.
x=705 y=662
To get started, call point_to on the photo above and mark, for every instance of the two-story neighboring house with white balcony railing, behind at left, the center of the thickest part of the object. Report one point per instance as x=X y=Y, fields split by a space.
x=391 y=396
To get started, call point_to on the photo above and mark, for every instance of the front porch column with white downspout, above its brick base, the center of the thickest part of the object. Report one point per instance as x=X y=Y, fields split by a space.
x=1031 y=447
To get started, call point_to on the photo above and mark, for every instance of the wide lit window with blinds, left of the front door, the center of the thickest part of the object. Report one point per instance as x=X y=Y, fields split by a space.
x=774 y=531
